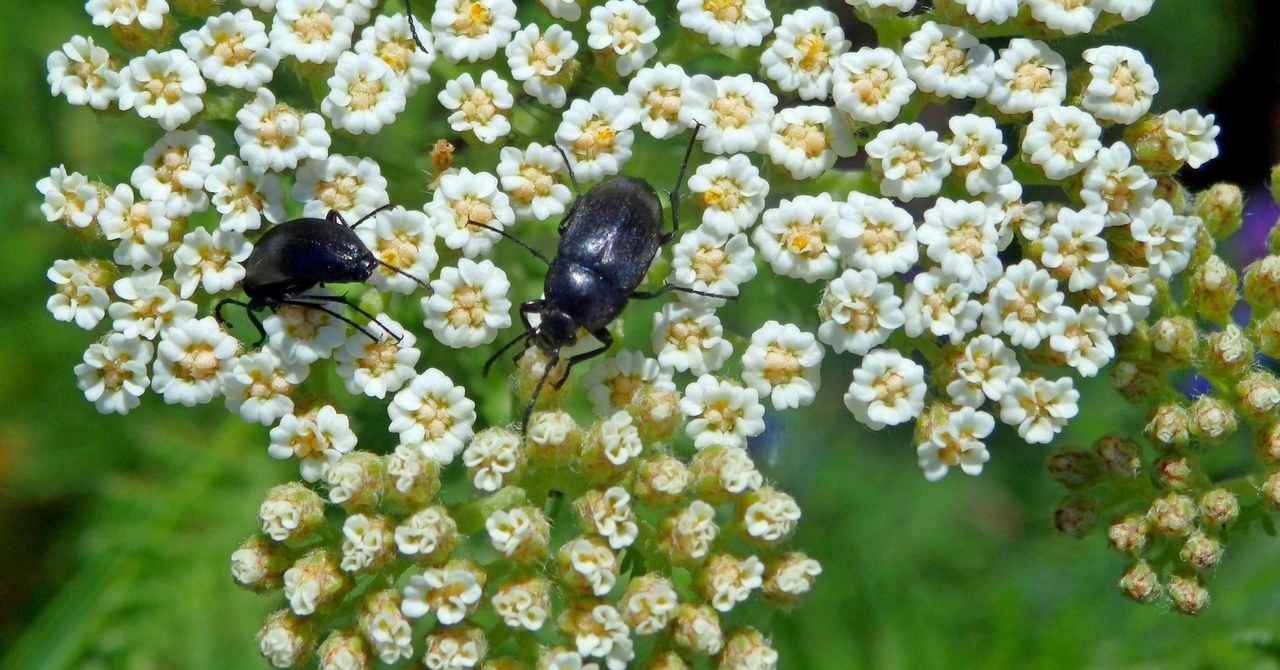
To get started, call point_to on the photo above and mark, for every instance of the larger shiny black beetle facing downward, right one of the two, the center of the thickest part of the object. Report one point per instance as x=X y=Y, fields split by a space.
x=609 y=240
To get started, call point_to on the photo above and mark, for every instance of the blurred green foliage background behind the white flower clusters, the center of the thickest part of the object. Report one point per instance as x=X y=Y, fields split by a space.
x=116 y=532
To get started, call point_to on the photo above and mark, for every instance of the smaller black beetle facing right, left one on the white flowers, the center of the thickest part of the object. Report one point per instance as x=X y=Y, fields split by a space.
x=295 y=257
